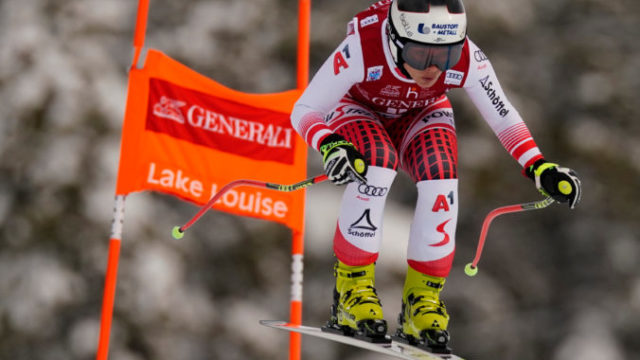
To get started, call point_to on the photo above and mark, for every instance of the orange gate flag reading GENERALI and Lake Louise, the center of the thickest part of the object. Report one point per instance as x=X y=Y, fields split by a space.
x=186 y=135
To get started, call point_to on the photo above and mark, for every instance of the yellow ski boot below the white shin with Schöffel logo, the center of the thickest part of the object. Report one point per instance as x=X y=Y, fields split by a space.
x=356 y=309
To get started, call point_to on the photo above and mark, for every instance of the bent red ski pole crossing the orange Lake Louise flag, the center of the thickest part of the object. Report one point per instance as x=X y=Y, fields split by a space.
x=178 y=231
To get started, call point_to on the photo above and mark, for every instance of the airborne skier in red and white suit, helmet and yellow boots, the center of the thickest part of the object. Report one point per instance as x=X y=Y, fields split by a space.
x=379 y=104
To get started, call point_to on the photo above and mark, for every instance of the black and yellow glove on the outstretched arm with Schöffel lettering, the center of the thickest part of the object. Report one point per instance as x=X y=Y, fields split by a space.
x=561 y=183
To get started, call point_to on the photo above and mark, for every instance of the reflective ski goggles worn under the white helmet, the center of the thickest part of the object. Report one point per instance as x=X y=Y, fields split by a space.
x=421 y=56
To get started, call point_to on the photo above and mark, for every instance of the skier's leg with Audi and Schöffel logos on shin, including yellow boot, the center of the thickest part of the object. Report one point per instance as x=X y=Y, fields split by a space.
x=356 y=307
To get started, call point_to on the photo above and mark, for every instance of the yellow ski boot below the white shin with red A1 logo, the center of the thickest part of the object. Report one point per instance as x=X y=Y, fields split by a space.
x=423 y=320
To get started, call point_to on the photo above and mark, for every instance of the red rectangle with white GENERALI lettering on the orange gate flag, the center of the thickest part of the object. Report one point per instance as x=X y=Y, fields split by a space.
x=220 y=124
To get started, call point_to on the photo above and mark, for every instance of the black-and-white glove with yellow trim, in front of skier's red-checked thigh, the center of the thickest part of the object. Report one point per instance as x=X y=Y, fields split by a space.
x=343 y=163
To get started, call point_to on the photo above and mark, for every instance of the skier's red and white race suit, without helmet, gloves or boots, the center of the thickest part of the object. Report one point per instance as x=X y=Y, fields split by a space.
x=360 y=94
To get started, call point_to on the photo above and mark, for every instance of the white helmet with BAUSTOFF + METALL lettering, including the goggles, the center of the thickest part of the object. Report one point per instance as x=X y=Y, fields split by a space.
x=423 y=33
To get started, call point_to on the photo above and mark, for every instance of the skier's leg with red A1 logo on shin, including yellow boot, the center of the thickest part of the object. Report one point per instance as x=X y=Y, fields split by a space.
x=430 y=158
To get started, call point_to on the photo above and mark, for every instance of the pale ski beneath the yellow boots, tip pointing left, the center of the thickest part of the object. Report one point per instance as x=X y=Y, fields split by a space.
x=392 y=347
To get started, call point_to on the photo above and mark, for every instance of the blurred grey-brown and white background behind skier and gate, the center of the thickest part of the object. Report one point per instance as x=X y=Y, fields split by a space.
x=554 y=284
